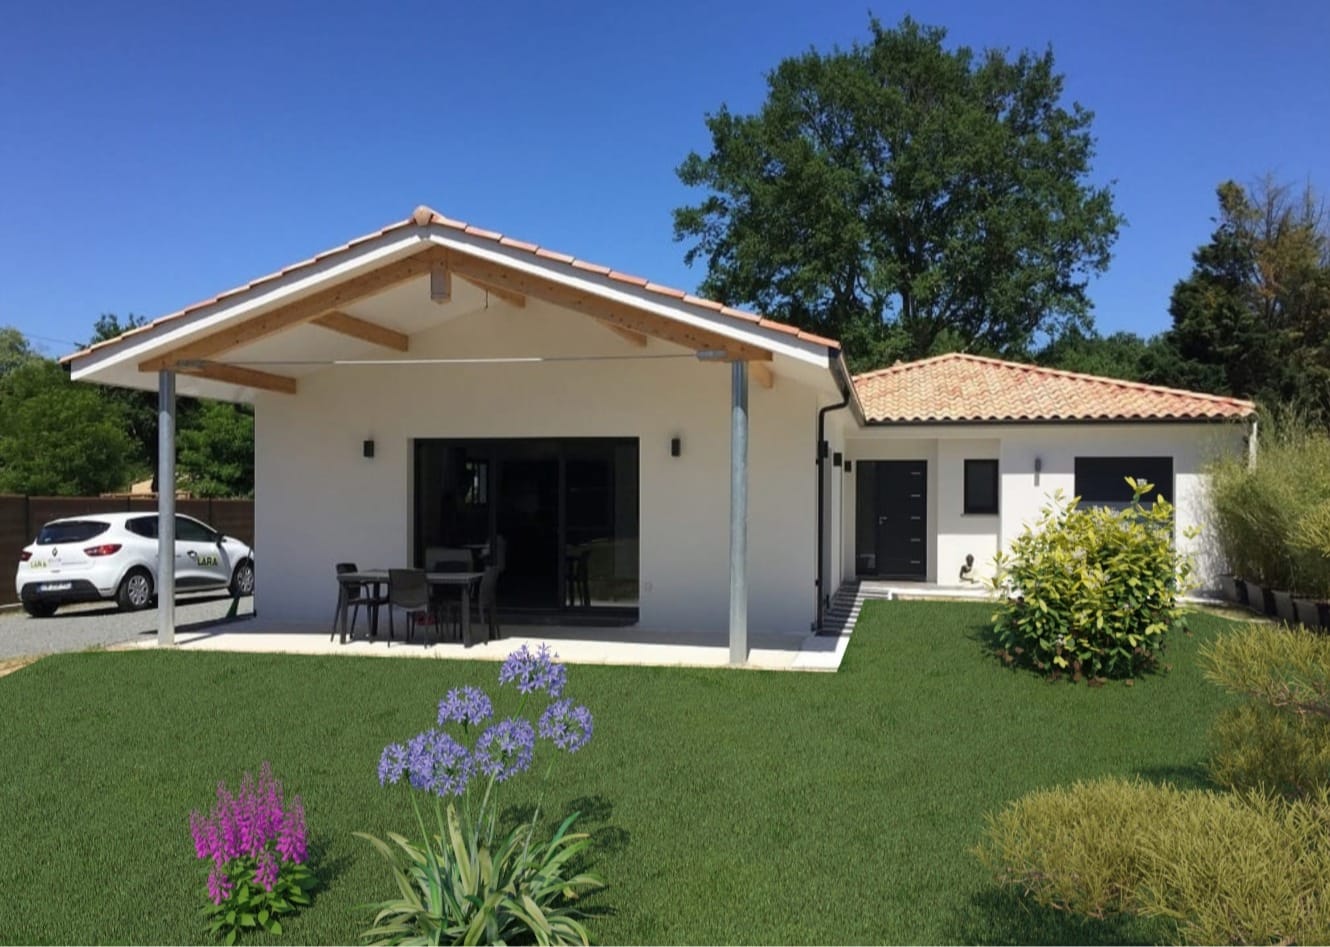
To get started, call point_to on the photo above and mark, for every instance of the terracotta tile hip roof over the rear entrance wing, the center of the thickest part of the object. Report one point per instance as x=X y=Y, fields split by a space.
x=961 y=388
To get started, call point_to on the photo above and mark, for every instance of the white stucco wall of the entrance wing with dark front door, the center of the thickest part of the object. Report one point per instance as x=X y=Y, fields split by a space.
x=1023 y=494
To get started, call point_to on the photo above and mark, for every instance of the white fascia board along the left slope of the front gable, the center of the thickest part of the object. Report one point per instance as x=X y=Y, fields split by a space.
x=271 y=295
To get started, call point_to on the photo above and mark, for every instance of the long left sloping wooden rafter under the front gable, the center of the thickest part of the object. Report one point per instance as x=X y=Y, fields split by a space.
x=300 y=312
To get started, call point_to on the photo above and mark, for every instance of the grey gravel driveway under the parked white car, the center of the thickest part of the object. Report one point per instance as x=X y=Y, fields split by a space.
x=79 y=627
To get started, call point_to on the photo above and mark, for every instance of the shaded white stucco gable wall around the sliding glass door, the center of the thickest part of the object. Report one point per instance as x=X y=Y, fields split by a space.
x=320 y=502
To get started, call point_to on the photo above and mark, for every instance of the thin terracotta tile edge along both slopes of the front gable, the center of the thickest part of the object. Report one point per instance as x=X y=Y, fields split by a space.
x=424 y=217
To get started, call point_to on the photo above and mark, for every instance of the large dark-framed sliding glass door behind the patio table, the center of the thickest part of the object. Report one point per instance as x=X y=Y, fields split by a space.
x=565 y=510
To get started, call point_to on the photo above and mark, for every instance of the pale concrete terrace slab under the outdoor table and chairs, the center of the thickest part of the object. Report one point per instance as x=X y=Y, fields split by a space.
x=574 y=646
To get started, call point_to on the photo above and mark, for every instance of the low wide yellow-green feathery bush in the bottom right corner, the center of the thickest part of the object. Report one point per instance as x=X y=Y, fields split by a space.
x=1224 y=868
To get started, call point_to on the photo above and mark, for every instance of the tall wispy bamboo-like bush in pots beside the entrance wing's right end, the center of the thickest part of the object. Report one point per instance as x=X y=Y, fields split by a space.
x=1273 y=521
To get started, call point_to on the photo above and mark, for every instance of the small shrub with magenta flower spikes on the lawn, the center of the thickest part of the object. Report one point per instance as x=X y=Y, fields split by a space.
x=257 y=848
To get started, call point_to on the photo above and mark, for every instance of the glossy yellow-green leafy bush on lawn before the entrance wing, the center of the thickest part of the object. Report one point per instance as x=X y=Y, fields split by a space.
x=1091 y=593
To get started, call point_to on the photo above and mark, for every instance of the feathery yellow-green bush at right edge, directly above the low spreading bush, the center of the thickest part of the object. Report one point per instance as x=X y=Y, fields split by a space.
x=1279 y=740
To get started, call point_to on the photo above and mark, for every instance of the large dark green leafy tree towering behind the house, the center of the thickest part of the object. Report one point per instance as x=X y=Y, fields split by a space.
x=898 y=192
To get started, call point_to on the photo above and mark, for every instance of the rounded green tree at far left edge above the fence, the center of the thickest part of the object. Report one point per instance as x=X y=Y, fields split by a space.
x=59 y=438
